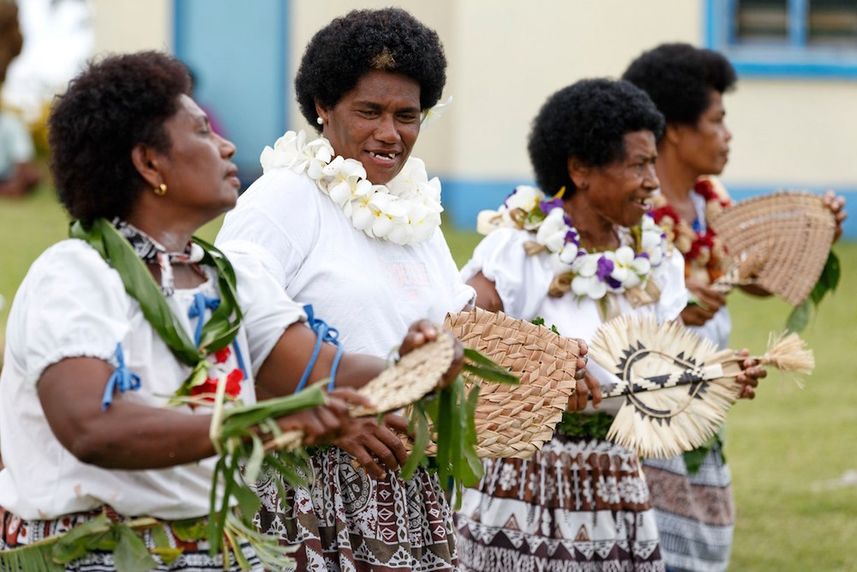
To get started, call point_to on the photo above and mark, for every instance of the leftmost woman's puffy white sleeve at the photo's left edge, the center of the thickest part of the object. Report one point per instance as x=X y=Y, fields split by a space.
x=71 y=304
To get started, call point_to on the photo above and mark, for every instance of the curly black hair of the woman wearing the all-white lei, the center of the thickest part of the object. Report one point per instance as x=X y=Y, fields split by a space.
x=342 y=52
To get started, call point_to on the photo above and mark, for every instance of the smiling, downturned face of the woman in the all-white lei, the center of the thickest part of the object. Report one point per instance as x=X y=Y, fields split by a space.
x=376 y=123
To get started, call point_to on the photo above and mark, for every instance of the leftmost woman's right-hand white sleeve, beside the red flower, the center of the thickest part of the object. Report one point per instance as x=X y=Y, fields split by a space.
x=267 y=309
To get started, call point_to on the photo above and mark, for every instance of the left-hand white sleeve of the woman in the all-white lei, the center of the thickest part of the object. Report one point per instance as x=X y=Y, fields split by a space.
x=279 y=213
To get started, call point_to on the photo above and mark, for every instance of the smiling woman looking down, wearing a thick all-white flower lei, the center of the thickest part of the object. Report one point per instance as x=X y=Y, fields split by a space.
x=349 y=222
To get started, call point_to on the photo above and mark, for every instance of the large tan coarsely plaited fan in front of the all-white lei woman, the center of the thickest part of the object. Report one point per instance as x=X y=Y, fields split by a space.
x=516 y=420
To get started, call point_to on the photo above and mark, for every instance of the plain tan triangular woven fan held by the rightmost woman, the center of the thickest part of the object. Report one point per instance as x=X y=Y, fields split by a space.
x=783 y=239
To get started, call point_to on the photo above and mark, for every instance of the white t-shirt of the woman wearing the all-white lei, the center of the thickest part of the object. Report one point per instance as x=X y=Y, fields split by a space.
x=369 y=289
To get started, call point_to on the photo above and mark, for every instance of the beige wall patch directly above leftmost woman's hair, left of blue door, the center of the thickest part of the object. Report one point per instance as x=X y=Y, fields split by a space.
x=131 y=25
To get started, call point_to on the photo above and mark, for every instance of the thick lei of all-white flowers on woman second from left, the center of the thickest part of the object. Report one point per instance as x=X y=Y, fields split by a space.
x=404 y=211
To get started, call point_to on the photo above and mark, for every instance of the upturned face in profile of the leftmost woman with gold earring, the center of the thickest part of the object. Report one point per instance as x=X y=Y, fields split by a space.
x=197 y=169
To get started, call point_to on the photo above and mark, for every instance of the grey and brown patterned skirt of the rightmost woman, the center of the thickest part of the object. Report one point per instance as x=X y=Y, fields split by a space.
x=695 y=513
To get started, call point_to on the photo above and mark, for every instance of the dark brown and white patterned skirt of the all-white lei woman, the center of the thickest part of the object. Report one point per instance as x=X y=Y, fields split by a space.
x=347 y=521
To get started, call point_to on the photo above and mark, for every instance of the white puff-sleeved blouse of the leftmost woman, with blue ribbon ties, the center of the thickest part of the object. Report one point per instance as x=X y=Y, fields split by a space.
x=72 y=304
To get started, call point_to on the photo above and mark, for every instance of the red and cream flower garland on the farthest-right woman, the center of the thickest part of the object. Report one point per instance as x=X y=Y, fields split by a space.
x=702 y=249
